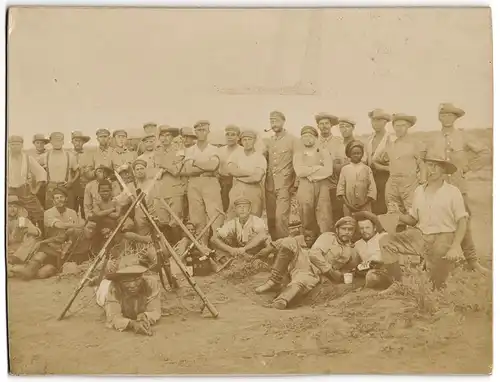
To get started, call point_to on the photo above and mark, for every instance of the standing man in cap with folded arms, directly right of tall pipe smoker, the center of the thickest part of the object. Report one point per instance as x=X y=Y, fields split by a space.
x=313 y=167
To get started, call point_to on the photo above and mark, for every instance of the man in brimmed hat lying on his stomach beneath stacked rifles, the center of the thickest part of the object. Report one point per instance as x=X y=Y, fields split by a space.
x=131 y=300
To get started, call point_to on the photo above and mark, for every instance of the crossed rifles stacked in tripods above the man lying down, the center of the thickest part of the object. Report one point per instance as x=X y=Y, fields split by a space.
x=162 y=247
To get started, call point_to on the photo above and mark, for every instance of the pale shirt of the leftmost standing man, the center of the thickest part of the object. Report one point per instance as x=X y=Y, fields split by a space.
x=23 y=170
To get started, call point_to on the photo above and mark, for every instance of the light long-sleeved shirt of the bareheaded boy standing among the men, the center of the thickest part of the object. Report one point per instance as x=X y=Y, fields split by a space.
x=357 y=184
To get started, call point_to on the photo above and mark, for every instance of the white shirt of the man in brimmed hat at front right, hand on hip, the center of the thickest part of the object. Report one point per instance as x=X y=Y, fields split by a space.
x=440 y=211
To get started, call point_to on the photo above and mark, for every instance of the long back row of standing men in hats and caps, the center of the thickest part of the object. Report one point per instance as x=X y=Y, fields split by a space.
x=200 y=182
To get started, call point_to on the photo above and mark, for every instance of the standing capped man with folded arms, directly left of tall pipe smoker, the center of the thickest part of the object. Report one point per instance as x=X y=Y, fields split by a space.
x=248 y=168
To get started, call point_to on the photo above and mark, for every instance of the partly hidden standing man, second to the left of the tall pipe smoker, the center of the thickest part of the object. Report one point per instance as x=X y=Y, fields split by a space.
x=232 y=133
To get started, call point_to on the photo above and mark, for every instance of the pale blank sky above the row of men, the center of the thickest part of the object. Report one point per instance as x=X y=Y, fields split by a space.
x=84 y=69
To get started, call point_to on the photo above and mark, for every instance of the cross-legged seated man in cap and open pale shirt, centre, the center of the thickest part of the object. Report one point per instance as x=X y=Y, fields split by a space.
x=243 y=235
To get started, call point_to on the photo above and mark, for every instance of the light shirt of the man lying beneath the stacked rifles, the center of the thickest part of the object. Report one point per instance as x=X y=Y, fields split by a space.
x=116 y=311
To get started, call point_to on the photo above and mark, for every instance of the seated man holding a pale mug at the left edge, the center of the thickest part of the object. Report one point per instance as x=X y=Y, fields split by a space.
x=22 y=234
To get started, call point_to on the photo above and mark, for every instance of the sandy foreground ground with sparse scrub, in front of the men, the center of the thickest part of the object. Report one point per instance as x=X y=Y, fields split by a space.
x=356 y=332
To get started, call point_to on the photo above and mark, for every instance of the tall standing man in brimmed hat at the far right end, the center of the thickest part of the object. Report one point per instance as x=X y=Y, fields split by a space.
x=457 y=147
